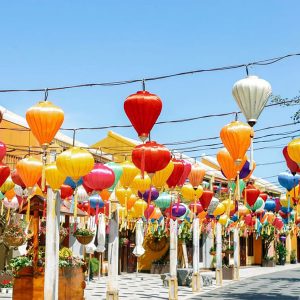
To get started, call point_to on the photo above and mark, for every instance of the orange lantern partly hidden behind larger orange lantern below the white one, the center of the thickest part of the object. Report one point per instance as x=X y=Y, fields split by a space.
x=226 y=162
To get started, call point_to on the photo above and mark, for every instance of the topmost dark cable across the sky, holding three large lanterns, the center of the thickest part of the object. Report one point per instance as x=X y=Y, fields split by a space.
x=264 y=62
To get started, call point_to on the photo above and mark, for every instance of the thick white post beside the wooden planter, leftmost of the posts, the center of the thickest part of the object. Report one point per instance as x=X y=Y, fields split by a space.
x=52 y=246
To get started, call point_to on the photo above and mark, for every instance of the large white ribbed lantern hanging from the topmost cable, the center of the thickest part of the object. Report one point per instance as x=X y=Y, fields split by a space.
x=251 y=95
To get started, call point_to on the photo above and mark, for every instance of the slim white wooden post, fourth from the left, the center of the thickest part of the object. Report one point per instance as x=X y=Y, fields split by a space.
x=196 y=287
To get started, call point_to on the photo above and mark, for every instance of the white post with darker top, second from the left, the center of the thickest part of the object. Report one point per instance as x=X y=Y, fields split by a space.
x=112 y=292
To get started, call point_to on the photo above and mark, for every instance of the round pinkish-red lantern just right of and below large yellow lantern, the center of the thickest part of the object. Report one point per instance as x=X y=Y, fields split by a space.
x=100 y=178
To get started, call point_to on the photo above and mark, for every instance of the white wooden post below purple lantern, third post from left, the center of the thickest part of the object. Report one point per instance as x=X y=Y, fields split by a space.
x=173 y=283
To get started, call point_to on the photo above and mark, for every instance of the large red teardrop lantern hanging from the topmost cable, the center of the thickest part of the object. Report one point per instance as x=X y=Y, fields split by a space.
x=143 y=109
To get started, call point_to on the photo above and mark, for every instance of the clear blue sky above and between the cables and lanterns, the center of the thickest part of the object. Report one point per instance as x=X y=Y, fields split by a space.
x=54 y=43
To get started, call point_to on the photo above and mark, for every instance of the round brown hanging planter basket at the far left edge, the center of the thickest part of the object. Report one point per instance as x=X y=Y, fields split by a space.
x=14 y=235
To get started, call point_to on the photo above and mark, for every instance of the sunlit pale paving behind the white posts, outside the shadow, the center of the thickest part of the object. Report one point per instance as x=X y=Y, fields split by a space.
x=149 y=286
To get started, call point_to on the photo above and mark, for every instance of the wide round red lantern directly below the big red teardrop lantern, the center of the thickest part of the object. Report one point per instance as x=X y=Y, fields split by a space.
x=151 y=157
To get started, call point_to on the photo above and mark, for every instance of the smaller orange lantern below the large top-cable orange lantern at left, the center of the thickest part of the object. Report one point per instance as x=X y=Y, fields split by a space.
x=30 y=170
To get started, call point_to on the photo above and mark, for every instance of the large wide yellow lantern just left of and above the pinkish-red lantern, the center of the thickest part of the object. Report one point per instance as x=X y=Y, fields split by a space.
x=75 y=162
